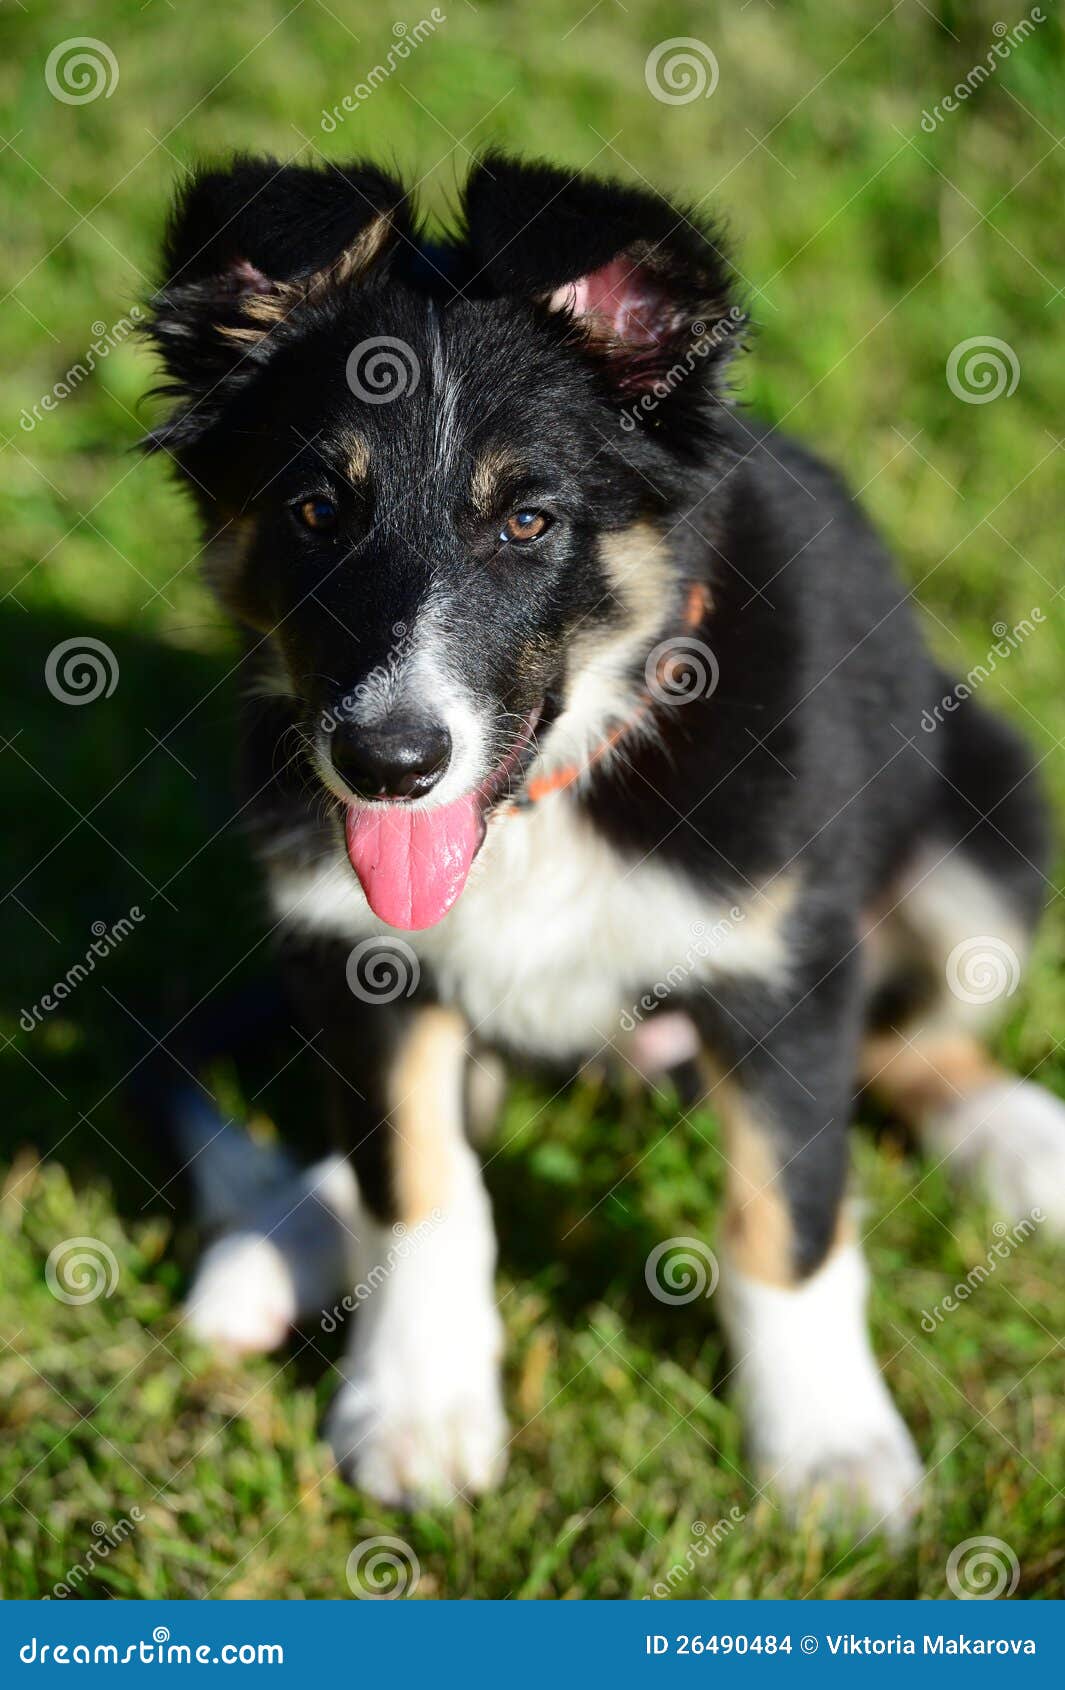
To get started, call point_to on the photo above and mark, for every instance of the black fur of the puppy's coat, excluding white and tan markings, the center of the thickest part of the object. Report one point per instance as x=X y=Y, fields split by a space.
x=807 y=755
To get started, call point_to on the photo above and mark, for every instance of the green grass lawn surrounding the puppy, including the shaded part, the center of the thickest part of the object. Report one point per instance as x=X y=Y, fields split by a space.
x=871 y=251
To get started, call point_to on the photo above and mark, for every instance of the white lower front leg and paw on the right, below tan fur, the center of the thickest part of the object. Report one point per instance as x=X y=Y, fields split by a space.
x=821 y=1426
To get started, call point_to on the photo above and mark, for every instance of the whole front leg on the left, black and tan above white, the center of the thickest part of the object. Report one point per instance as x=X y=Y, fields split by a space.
x=418 y=1415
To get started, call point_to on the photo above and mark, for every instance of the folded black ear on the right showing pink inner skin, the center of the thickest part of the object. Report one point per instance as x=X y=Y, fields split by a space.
x=647 y=283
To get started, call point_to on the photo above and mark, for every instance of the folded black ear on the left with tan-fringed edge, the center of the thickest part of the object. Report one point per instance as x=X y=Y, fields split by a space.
x=248 y=249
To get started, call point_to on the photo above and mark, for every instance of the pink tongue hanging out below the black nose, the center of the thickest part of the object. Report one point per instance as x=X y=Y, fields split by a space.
x=413 y=863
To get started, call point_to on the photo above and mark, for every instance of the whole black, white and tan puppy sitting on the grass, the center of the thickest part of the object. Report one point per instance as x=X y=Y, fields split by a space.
x=591 y=712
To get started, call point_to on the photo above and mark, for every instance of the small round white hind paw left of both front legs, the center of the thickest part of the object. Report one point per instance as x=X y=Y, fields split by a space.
x=243 y=1299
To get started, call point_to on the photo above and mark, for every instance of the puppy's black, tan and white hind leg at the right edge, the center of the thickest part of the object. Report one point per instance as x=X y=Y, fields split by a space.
x=954 y=939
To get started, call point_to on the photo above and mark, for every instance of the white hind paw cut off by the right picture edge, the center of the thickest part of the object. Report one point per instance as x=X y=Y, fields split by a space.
x=1010 y=1137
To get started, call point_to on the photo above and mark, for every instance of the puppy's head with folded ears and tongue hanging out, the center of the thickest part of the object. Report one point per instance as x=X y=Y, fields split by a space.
x=449 y=484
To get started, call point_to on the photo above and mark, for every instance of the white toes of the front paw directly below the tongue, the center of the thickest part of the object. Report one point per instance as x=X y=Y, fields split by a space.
x=410 y=1437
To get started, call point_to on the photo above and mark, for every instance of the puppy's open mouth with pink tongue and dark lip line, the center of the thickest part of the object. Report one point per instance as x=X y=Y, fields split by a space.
x=412 y=861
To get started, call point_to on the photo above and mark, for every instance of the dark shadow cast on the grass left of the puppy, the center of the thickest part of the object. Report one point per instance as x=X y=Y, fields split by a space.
x=119 y=832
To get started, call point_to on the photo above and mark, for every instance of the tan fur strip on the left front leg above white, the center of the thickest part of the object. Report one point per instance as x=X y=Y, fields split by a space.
x=427 y=1111
